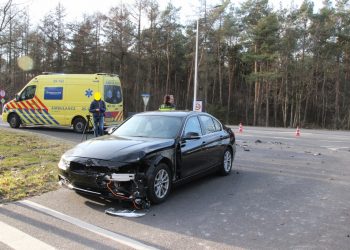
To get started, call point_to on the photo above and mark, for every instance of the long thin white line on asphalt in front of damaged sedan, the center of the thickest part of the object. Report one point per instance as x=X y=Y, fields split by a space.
x=87 y=226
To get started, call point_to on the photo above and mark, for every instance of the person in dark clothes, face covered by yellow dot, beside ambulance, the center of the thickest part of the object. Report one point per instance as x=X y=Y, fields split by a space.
x=98 y=109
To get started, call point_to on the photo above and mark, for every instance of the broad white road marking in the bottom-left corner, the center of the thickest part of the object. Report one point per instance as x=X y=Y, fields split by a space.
x=19 y=240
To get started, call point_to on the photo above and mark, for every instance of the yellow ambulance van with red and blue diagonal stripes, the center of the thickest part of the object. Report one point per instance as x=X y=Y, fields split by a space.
x=64 y=100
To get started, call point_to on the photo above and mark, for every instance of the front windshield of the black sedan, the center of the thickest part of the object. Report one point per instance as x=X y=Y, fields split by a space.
x=151 y=126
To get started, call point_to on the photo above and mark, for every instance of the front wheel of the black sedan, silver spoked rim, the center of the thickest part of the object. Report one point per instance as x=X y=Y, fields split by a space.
x=159 y=184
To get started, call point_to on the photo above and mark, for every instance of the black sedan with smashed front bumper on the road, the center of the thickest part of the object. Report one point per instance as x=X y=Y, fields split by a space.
x=146 y=155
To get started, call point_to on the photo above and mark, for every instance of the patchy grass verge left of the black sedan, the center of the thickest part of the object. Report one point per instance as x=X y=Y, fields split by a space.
x=28 y=164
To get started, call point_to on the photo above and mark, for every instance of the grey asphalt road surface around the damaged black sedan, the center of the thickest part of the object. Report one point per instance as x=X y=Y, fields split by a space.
x=285 y=192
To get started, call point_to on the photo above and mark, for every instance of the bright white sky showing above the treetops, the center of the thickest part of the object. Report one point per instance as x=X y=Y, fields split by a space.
x=76 y=8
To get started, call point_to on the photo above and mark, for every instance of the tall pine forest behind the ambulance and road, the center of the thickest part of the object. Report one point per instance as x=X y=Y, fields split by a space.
x=256 y=65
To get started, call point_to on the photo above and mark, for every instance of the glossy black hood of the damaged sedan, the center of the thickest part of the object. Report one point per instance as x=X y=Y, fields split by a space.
x=120 y=149
